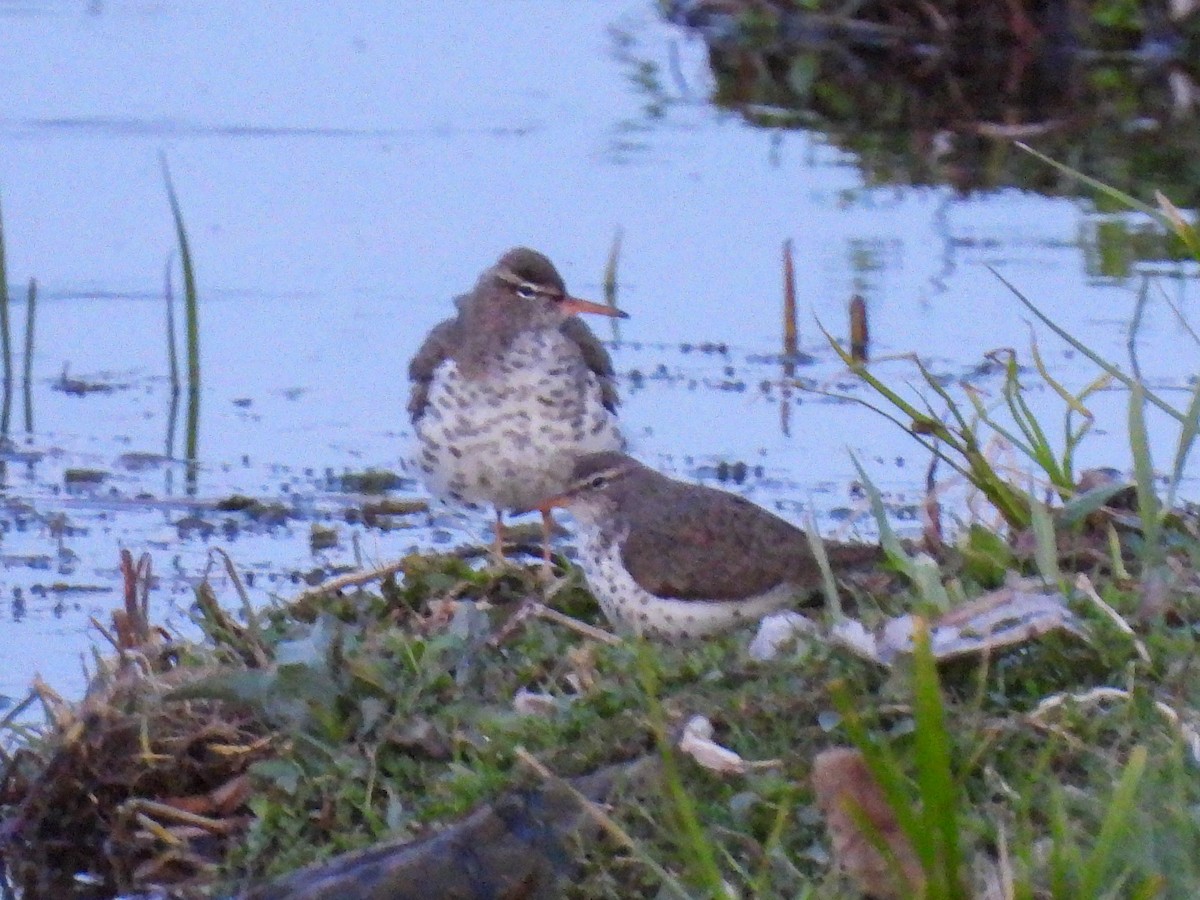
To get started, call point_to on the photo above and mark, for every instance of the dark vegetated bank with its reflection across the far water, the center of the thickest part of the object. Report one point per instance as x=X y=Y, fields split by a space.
x=922 y=105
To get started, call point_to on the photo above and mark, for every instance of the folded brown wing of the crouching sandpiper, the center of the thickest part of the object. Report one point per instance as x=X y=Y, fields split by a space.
x=713 y=545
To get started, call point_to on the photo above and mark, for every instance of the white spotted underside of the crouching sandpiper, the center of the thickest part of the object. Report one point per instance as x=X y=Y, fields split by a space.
x=632 y=608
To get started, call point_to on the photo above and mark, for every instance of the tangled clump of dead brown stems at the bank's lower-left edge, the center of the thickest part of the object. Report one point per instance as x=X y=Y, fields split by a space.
x=129 y=788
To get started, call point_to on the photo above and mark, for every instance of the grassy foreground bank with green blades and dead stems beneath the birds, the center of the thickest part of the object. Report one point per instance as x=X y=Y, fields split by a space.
x=482 y=721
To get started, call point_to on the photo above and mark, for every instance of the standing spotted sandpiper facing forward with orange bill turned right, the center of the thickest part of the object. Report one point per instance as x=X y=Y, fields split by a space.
x=511 y=391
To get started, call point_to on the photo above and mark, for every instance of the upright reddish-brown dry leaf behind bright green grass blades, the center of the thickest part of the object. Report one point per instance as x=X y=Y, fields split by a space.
x=843 y=783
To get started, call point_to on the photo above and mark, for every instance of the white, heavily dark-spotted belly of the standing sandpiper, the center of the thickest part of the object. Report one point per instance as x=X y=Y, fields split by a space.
x=511 y=439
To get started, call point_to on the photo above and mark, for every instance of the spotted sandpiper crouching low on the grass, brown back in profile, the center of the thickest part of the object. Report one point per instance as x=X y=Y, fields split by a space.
x=676 y=561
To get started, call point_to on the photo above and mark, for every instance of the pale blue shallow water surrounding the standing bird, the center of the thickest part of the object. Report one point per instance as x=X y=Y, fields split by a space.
x=345 y=172
